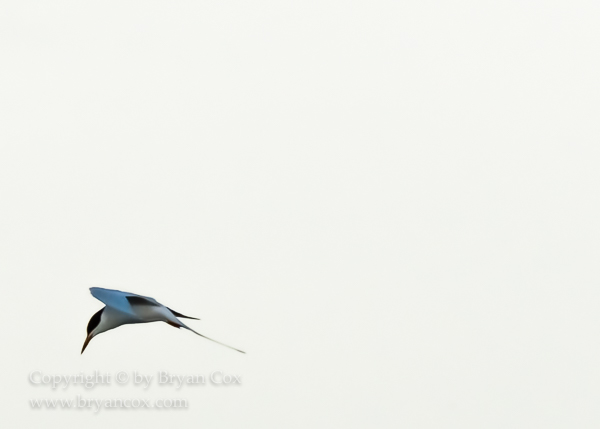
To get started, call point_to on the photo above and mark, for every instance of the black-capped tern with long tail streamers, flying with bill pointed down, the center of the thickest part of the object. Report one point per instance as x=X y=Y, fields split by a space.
x=123 y=308
